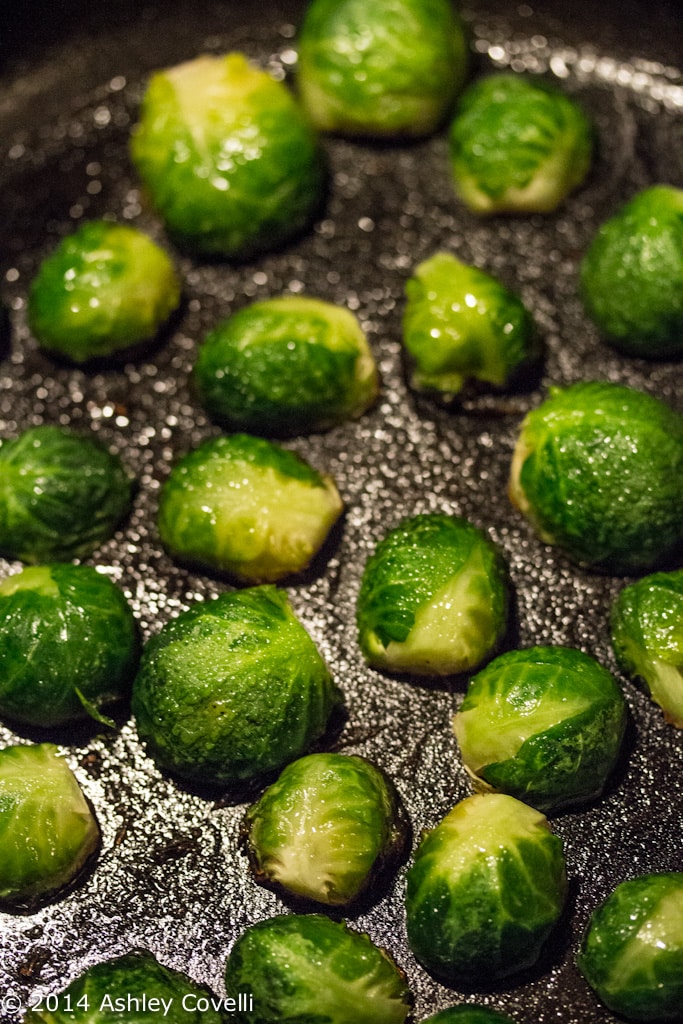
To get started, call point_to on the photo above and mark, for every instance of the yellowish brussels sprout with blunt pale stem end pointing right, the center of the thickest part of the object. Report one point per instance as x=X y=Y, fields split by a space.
x=246 y=506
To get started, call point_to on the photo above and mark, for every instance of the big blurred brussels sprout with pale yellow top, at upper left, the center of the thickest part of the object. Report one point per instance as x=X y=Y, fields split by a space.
x=228 y=157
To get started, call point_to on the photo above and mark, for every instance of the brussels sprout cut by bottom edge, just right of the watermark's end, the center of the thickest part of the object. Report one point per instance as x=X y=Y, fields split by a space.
x=309 y=968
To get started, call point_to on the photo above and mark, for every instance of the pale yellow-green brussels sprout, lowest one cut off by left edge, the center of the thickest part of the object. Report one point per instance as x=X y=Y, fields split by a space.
x=48 y=830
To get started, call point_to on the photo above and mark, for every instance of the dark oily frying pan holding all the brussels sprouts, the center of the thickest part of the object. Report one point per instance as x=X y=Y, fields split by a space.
x=172 y=876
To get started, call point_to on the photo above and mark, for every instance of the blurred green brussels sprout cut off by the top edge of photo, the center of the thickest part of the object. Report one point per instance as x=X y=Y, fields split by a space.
x=382 y=68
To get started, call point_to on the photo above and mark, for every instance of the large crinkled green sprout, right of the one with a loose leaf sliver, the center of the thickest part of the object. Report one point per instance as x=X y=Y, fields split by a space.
x=232 y=690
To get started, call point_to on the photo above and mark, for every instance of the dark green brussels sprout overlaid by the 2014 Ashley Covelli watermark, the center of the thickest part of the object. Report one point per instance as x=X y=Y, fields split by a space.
x=135 y=989
